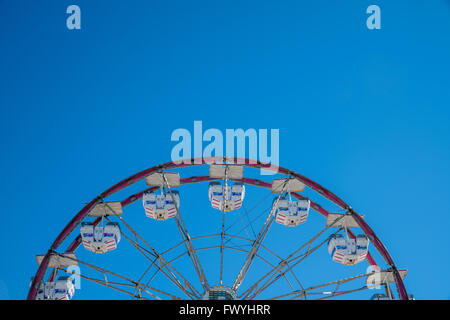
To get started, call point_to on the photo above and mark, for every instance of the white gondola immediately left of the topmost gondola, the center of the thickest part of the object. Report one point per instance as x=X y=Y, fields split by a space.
x=160 y=206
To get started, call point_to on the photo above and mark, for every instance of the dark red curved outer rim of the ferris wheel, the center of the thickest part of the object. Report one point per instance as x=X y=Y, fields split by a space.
x=190 y=162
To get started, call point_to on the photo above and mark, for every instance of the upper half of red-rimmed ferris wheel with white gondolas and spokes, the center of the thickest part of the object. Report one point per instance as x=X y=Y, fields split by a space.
x=207 y=228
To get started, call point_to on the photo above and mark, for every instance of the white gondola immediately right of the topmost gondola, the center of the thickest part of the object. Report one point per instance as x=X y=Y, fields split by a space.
x=291 y=213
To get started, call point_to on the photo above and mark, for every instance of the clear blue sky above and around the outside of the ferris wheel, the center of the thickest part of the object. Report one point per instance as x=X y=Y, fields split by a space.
x=366 y=113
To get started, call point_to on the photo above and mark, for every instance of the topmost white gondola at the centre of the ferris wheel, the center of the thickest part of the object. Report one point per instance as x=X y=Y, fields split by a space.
x=231 y=201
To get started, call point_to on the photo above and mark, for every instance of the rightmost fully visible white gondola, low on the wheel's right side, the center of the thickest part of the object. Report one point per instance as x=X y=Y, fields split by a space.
x=348 y=251
